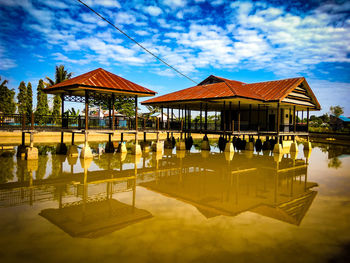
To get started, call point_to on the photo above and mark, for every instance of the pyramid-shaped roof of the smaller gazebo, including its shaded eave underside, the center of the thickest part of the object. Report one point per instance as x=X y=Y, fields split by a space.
x=99 y=80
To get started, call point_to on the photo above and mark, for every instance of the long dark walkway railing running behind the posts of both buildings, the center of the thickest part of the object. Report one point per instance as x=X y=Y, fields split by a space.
x=40 y=122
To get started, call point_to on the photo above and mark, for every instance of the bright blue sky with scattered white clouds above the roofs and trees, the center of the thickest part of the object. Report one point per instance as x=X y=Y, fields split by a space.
x=248 y=41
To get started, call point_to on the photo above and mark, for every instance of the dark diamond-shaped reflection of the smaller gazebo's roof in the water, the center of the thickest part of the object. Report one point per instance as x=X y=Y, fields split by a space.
x=96 y=218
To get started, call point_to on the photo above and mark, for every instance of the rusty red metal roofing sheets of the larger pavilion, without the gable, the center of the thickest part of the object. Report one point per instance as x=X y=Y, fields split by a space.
x=223 y=88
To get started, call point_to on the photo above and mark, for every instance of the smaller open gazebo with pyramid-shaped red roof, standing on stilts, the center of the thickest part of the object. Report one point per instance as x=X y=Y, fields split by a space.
x=96 y=87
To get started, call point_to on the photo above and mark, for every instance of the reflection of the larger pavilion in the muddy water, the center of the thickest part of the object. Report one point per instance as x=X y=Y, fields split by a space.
x=277 y=189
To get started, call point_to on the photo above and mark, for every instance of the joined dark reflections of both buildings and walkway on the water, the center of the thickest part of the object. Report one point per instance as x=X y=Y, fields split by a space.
x=85 y=192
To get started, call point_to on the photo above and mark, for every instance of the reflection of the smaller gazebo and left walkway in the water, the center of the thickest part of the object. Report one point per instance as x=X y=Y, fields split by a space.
x=86 y=207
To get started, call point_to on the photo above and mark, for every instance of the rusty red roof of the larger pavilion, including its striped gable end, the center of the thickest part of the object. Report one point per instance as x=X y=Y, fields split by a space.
x=216 y=88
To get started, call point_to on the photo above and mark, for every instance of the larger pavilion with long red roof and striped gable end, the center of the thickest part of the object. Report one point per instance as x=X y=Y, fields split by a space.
x=245 y=108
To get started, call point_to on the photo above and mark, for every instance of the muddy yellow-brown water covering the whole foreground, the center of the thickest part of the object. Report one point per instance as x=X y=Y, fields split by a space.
x=177 y=207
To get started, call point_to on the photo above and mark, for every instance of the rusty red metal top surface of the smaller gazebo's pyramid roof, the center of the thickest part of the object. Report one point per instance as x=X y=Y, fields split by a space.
x=102 y=79
